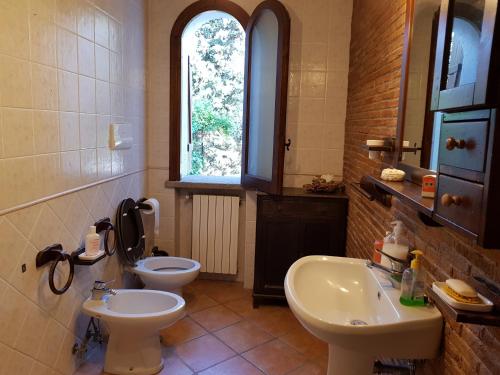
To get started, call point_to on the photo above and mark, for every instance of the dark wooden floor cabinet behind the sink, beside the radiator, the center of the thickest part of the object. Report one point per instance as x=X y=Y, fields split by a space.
x=289 y=227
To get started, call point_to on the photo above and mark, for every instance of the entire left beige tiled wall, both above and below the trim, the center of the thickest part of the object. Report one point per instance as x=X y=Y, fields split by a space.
x=68 y=68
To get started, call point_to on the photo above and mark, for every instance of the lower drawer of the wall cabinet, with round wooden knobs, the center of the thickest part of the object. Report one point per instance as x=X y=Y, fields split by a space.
x=460 y=202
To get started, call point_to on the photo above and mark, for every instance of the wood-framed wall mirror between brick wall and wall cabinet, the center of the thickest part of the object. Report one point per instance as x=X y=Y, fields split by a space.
x=419 y=129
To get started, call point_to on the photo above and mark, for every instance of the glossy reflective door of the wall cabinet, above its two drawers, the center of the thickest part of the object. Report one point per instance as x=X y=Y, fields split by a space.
x=463 y=53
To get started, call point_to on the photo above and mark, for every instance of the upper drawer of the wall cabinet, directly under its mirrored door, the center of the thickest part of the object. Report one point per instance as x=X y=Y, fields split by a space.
x=463 y=145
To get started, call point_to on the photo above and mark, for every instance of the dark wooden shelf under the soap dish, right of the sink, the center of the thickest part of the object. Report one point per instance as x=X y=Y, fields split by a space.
x=461 y=316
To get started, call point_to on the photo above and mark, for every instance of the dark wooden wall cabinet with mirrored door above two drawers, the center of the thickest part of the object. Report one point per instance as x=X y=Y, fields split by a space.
x=465 y=94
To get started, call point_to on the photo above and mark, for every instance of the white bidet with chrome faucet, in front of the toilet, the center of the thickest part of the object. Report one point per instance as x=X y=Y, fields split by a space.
x=134 y=318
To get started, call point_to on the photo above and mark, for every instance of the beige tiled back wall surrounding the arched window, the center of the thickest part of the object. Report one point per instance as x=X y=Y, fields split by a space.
x=317 y=96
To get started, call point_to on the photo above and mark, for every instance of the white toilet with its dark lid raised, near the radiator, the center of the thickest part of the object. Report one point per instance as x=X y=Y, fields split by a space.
x=161 y=272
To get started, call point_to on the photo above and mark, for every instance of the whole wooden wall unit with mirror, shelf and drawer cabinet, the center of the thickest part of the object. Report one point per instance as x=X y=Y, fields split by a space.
x=461 y=132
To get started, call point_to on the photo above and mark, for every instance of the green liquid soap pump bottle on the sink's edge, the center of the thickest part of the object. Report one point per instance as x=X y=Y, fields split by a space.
x=412 y=283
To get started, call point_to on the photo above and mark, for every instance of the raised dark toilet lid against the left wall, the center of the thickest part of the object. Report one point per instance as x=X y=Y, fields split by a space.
x=130 y=232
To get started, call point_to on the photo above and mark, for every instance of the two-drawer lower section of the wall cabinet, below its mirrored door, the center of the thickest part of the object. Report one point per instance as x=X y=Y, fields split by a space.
x=468 y=193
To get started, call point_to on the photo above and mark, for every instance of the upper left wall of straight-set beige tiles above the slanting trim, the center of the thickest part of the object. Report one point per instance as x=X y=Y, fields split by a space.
x=67 y=71
